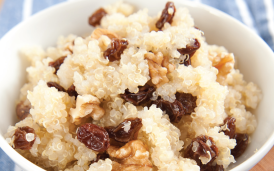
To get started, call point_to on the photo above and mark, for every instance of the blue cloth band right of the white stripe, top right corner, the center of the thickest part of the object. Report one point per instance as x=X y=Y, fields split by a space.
x=258 y=12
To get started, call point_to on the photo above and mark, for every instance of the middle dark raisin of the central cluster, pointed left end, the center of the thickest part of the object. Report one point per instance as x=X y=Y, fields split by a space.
x=174 y=110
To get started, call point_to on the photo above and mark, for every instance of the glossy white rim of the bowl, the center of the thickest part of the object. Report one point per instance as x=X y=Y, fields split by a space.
x=250 y=162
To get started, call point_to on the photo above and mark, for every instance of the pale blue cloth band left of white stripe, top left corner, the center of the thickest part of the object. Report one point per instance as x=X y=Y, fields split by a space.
x=10 y=15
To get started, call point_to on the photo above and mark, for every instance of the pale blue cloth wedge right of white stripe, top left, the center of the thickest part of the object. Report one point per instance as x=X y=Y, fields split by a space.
x=39 y=5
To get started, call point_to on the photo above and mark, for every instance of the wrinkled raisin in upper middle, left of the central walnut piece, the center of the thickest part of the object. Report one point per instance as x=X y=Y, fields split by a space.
x=117 y=47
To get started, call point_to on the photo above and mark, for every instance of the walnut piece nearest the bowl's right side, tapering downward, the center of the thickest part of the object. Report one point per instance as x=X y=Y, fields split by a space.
x=224 y=62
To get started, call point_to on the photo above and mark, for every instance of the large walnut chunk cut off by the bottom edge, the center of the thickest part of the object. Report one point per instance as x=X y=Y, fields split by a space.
x=132 y=156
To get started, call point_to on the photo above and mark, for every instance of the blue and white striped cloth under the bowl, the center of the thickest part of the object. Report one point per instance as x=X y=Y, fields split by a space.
x=256 y=14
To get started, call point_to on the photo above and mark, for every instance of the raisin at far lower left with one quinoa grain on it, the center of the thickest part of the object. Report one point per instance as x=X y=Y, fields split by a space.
x=20 y=139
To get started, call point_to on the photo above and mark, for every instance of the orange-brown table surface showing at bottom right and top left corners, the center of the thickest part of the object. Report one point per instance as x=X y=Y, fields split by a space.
x=266 y=164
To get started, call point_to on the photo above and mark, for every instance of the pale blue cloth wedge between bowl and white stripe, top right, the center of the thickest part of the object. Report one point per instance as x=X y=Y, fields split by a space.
x=228 y=6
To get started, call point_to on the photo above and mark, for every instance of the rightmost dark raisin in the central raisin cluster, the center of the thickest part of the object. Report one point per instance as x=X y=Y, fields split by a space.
x=188 y=101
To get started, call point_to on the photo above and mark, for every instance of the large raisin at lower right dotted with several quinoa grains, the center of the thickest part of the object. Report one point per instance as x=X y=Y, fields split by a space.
x=199 y=147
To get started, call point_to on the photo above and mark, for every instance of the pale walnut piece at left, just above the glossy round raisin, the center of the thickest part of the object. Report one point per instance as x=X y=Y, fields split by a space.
x=86 y=105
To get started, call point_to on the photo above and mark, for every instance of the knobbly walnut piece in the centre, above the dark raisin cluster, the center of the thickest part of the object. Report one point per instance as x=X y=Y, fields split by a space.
x=159 y=66
